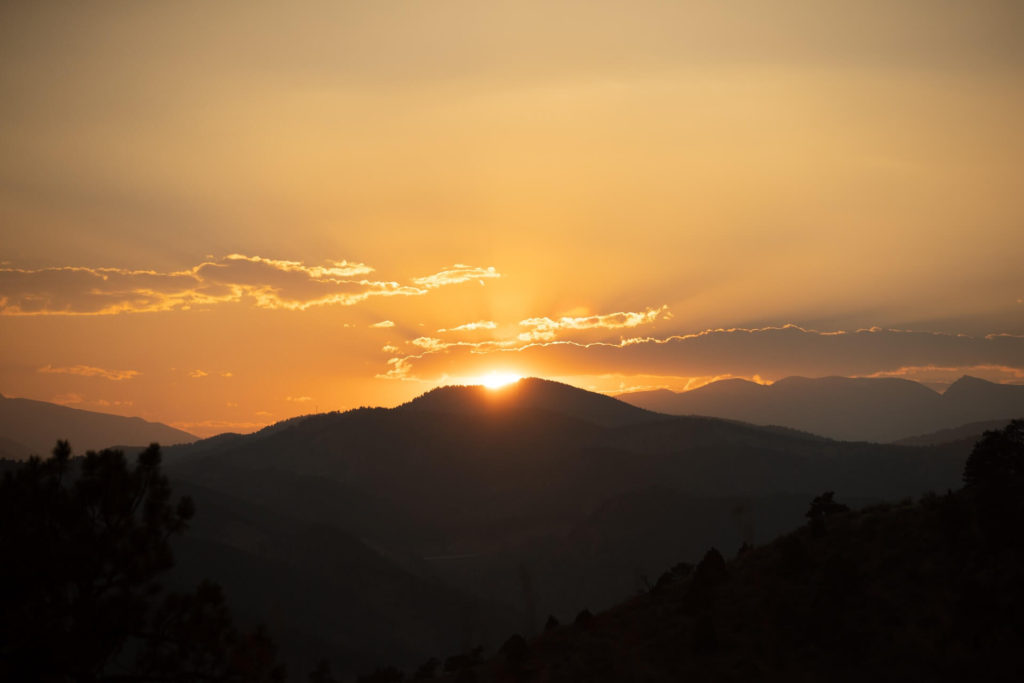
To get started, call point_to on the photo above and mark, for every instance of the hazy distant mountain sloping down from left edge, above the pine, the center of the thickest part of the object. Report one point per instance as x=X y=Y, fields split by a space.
x=33 y=426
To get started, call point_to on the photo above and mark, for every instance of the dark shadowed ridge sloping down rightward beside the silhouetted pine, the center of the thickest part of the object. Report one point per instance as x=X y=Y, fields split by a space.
x=322 y=592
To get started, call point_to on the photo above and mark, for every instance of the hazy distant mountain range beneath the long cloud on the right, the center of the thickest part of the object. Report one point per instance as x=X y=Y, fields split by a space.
x=879 y=410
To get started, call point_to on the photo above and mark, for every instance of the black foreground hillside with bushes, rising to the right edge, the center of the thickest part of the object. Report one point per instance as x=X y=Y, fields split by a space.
x=932 y=591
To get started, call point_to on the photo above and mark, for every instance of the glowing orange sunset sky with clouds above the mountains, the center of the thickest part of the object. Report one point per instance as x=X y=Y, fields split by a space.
x=223 y=215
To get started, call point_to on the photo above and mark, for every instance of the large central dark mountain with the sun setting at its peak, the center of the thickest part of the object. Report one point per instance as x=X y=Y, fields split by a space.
x=541 y=497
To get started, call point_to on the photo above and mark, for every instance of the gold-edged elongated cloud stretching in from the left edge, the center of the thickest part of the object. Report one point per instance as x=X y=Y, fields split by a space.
x=262 y=282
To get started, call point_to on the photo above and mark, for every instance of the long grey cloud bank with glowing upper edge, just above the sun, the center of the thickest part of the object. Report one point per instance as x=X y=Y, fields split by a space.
x=770 y=353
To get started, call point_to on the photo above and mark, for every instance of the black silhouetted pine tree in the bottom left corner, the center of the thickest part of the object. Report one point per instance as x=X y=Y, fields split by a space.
x=86 y=543
